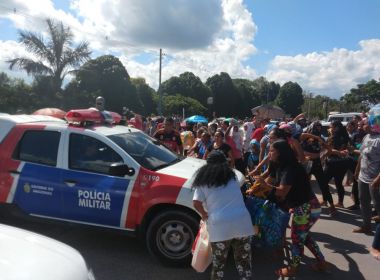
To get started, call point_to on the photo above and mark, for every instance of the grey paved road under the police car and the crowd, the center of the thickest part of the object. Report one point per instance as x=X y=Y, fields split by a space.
x=113 y=255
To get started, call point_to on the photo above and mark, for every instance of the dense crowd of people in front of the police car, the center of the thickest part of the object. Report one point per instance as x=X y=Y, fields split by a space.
x=282 y=155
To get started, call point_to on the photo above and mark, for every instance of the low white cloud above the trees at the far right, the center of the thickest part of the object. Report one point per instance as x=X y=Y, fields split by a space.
x=329 y=73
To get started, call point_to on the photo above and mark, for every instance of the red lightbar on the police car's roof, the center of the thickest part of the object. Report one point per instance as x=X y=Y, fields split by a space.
x=91 y=116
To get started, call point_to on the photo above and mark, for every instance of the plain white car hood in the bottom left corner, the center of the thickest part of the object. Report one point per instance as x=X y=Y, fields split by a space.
x=25 y=255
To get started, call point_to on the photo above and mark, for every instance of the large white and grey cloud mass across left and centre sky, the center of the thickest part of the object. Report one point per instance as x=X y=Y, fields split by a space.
x=205 y=37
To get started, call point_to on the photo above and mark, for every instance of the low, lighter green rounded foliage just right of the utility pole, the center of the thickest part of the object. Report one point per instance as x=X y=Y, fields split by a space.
x=174 y=104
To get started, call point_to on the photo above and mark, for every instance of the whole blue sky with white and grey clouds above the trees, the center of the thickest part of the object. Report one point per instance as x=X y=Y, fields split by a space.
x=326 y=46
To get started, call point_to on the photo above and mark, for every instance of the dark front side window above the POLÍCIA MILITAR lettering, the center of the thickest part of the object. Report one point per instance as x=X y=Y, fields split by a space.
x=89 y=154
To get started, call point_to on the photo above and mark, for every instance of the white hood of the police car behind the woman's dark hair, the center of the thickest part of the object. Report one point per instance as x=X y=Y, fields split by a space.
x=187 y=167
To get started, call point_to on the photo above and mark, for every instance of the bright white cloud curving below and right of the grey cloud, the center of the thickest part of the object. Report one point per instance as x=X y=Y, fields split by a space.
x=227 y=52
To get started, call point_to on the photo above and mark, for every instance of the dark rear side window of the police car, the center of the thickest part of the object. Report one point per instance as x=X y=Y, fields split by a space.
x=38 y=146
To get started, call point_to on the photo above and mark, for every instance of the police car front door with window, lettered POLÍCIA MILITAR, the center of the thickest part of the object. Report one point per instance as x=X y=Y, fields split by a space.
x=89 y=193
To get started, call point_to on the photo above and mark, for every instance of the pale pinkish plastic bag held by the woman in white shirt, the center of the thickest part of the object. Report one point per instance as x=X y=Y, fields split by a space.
x=202 y=255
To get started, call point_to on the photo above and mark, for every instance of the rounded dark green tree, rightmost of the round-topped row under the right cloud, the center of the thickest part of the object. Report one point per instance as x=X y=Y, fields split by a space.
x=290 y=98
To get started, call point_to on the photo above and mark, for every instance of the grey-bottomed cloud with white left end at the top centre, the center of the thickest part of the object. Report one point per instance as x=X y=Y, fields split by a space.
x=175 y=24
